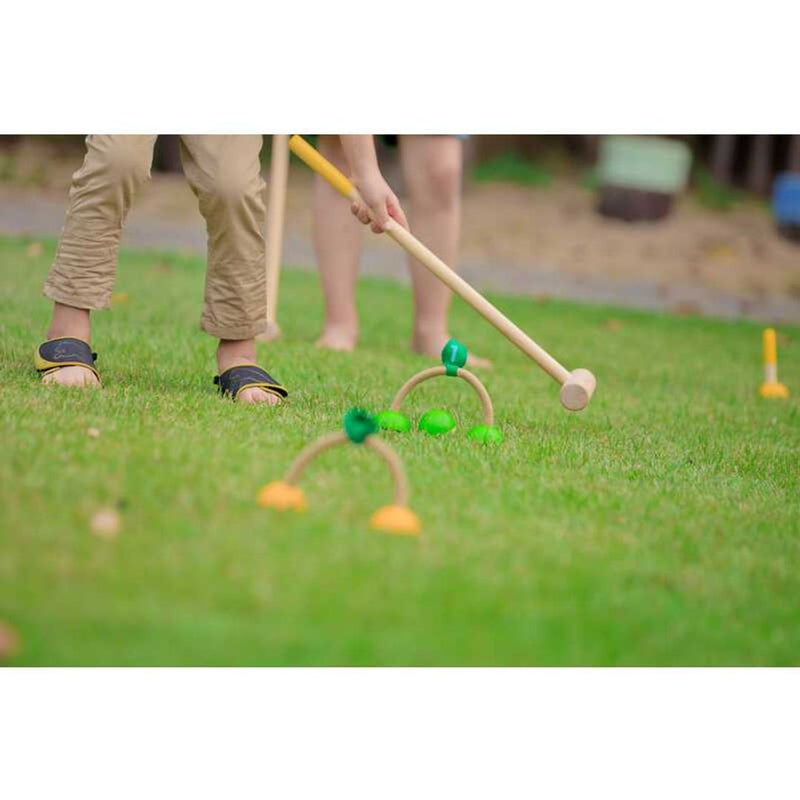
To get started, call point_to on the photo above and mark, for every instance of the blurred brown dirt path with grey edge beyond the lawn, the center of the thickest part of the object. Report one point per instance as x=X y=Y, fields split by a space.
x=515 y=240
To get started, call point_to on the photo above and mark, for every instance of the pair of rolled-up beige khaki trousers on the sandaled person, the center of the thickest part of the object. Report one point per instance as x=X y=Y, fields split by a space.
x=224 y=172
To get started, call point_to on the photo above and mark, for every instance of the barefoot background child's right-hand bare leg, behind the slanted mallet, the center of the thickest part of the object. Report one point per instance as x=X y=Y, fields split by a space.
x=432 y=167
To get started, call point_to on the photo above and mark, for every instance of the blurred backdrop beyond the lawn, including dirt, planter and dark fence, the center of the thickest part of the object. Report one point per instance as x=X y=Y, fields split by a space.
x=694 y=225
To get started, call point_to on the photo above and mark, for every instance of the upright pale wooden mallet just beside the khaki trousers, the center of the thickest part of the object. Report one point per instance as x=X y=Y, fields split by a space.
x=276 y=205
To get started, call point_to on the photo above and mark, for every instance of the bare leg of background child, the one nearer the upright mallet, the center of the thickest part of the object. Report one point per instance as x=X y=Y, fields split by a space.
x=337 y=242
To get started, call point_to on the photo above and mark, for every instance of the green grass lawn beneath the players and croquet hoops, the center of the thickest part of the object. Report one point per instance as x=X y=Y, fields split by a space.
x=660 y=526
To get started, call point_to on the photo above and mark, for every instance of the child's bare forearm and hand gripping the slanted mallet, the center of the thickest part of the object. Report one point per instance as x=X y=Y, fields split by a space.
x=379 y=201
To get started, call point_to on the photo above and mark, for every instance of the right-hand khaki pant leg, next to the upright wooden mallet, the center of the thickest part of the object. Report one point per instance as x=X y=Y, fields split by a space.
x=225 y=174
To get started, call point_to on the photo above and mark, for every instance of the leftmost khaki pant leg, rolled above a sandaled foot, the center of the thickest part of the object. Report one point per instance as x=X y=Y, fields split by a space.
x=85 y=265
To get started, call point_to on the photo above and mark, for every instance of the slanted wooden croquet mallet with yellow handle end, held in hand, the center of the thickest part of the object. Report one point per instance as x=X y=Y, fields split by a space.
x=577 y=387
